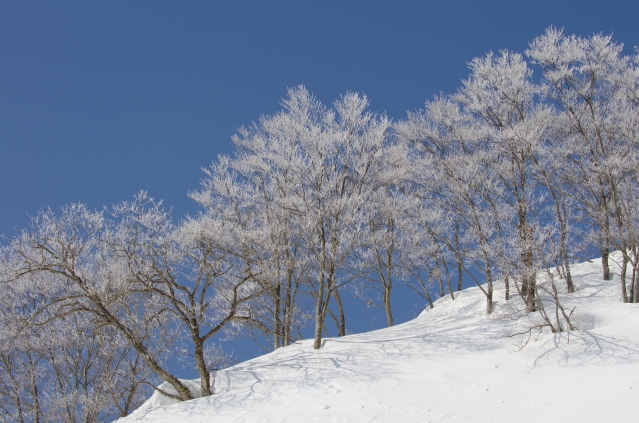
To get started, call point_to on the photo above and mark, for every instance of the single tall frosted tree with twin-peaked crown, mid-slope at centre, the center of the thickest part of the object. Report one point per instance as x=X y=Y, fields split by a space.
x=318 y=168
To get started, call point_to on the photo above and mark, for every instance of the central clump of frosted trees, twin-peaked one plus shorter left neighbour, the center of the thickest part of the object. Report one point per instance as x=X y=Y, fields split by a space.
x=308 y=177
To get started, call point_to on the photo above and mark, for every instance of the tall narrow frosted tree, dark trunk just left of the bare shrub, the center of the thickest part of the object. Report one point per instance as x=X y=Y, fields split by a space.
x=500 y=96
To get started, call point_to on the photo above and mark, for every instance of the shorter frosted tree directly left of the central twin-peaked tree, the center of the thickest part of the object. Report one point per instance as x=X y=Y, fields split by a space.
x=250 y=194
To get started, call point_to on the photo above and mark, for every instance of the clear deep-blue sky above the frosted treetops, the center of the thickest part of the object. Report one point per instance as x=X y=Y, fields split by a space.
x=101 y=99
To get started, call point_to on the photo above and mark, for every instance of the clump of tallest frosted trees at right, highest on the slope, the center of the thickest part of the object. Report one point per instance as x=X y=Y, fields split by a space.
x=521 y=167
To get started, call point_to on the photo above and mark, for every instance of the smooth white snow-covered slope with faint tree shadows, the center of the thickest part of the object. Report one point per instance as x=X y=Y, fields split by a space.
x=452 y=363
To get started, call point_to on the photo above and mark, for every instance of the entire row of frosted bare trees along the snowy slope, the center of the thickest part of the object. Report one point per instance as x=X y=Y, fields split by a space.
x=506 y=177
